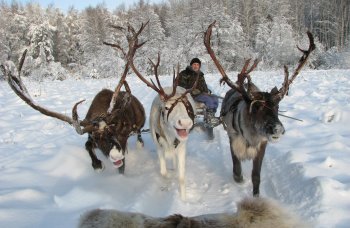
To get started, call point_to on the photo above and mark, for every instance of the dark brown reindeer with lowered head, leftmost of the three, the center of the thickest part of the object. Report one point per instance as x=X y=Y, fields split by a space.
x=110 y=120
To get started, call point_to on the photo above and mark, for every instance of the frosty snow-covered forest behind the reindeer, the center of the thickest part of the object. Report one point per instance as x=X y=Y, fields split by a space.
x=70 y=44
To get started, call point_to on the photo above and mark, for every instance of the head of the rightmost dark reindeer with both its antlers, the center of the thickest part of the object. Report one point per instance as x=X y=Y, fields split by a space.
x=261 y=108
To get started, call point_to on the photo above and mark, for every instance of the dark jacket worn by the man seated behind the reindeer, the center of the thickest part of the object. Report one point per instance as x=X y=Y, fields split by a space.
x=188 y=78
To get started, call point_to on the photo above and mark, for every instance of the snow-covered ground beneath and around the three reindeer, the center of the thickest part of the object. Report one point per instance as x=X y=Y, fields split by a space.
x=47 y=180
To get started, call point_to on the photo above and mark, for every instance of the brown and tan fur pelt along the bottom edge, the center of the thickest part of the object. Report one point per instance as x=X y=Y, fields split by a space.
x=251 y=213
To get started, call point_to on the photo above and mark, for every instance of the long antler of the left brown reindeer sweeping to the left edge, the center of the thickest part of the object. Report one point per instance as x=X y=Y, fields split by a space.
x=20 y=89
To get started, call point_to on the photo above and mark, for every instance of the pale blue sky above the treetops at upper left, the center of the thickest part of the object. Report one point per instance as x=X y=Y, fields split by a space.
x=81 y=4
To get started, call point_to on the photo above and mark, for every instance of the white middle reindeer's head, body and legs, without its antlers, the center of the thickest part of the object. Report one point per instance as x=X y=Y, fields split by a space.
x=170 y=122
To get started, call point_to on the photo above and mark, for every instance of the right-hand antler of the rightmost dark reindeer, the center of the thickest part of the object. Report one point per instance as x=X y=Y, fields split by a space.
x=287 y=81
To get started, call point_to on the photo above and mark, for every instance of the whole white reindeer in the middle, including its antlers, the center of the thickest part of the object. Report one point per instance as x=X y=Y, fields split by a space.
x=171 y=118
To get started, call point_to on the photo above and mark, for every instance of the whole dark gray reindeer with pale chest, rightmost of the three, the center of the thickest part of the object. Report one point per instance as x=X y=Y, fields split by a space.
x=250 y=116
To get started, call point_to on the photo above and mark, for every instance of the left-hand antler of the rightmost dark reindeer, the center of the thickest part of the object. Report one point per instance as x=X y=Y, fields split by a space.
x=239 y=85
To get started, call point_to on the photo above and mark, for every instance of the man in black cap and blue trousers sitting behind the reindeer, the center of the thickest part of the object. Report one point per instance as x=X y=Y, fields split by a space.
x=201 y=93
